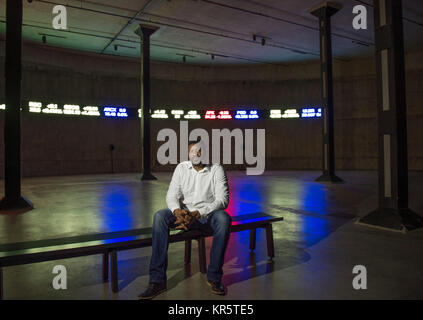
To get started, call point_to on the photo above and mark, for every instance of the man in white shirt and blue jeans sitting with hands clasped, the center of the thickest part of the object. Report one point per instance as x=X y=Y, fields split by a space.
x=197 y=197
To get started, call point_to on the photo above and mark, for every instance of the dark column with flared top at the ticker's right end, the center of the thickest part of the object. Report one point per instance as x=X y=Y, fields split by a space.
x=324 y=12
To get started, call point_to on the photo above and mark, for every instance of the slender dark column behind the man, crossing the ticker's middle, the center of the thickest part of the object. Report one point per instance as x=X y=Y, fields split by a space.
x=145 y=31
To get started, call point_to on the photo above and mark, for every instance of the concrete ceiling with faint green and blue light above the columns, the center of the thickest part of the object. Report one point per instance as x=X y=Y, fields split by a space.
x=200 y=28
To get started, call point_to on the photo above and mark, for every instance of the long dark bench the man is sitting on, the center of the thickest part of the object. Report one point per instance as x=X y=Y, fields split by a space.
x=108 y=244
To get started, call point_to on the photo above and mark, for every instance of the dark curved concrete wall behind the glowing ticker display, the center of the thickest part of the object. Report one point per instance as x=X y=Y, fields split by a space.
x=55 y=145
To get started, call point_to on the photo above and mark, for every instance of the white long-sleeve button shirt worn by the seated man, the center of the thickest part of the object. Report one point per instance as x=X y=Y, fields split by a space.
x=206 y=190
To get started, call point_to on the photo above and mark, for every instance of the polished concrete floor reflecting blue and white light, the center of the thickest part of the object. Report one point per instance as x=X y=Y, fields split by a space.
x=317 y=245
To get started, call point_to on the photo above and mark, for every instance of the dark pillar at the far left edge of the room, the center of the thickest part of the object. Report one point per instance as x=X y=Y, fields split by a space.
x=13 y=199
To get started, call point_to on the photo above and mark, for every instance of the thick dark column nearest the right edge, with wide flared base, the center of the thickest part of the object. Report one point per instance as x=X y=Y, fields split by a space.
x=393 y=212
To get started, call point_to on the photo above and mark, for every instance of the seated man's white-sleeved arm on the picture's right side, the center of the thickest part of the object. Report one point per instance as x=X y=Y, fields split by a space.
x=221 y=196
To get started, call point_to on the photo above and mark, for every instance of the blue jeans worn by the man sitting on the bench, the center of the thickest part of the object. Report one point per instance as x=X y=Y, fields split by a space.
x=219 y=221
